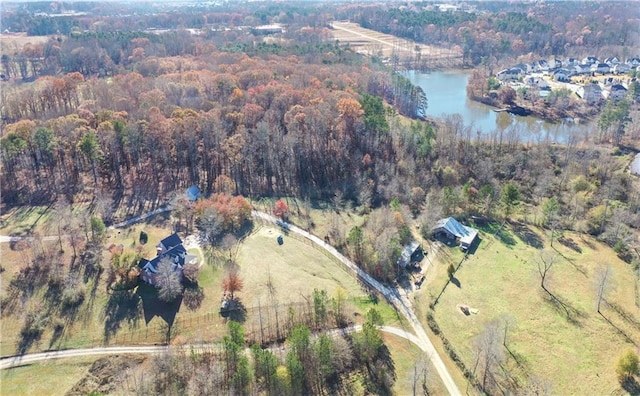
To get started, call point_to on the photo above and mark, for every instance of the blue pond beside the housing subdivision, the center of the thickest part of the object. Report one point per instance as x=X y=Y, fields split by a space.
x=447 y=94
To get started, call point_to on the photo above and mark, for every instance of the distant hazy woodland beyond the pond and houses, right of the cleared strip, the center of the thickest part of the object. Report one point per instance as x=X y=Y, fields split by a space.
x=558 y=29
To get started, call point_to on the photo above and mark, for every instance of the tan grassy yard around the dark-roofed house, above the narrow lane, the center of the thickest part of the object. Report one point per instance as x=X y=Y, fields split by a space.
x=95 y=323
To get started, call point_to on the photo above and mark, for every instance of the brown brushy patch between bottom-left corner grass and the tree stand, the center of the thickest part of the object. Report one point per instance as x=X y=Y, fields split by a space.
x=105 y=375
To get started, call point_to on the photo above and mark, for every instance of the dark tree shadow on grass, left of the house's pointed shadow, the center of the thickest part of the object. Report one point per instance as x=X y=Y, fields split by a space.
x=122 y=306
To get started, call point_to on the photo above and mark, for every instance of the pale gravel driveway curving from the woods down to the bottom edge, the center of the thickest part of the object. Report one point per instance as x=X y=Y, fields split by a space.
x=401 y=303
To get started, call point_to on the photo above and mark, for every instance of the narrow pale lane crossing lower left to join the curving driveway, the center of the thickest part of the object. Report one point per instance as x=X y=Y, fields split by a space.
x=8 y=362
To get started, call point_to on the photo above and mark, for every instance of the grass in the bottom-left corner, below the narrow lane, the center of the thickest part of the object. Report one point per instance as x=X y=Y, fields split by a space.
x=54 y=377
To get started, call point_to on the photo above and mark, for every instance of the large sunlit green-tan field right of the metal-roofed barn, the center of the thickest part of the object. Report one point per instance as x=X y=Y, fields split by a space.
x=568 y=344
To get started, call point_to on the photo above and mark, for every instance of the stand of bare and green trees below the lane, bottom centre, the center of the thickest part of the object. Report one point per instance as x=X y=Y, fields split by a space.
x=307 y=363
